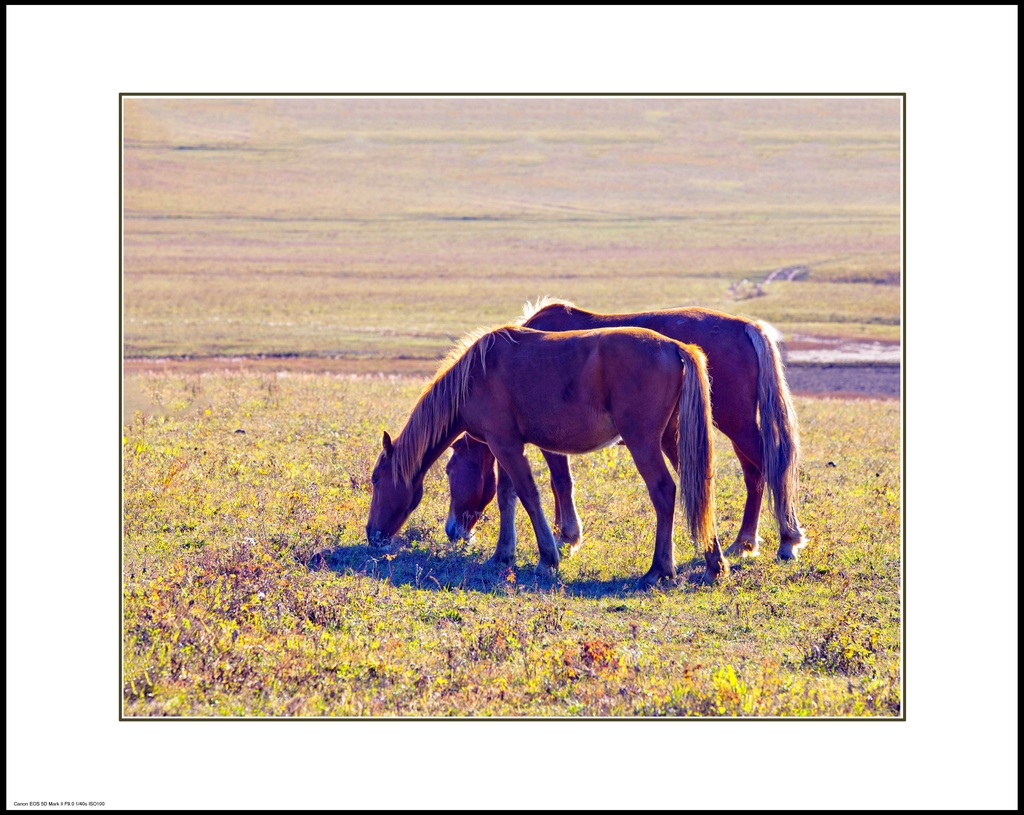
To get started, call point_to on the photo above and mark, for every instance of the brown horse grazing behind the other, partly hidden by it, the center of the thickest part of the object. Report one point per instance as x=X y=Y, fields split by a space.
x=748 y=380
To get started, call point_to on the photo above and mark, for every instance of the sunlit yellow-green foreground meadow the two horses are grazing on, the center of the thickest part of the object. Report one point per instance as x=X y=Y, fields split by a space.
x=249 y=588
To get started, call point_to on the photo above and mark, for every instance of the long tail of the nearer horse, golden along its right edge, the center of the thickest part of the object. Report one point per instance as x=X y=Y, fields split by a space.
x=697 y=453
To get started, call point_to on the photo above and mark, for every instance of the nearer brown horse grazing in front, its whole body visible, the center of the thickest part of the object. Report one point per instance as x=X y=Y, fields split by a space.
x=572 y=393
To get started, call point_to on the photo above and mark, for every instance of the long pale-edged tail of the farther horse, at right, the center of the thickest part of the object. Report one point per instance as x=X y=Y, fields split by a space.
x=780 y=430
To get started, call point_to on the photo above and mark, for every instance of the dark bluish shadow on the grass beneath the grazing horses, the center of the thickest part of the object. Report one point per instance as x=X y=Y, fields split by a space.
x=418 y=562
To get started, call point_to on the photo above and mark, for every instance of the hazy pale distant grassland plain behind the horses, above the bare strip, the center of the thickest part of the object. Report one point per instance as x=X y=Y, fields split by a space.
x=382 y=230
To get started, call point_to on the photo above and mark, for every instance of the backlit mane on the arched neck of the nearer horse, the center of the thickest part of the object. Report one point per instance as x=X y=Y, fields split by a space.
x=440 y=403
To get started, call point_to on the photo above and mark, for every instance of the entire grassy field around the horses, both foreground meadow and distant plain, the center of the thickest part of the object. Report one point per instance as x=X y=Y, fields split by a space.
x=366 y=236
